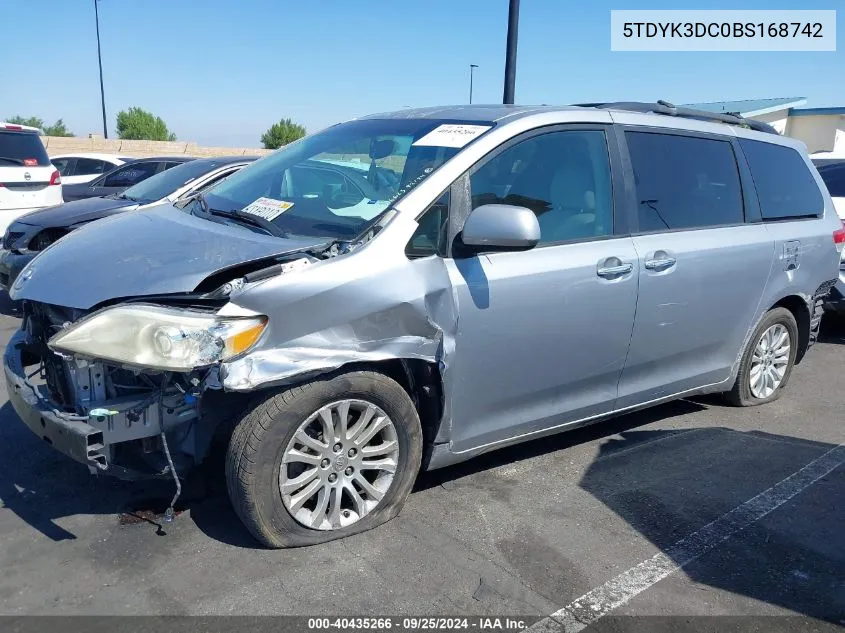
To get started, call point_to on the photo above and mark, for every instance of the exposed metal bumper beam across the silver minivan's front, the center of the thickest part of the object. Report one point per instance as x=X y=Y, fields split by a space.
x=66 y=433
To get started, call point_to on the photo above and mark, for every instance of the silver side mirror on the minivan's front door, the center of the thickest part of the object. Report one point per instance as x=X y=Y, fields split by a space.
x=500 y=227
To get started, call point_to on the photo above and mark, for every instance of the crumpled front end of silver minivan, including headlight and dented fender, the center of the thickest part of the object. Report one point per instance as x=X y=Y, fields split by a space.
x=136 y=376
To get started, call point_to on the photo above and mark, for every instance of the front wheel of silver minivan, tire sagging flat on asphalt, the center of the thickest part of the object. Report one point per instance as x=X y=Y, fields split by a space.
x=324 y=460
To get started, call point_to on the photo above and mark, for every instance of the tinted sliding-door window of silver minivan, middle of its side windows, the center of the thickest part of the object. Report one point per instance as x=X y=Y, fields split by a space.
x=684 y=182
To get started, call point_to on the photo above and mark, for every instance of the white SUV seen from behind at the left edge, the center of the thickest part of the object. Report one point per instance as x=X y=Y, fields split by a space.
x=27 y=179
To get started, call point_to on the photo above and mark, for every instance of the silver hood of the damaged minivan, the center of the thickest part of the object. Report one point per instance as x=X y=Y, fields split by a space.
x=161 y=250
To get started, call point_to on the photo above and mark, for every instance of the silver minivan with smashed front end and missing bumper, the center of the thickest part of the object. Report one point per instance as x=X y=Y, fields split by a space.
x=537 y=269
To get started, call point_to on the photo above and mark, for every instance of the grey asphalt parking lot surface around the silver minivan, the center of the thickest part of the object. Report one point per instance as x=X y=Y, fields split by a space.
x=525 y=530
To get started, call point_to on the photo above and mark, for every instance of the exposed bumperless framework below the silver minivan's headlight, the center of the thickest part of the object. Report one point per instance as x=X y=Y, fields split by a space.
x=128 y=422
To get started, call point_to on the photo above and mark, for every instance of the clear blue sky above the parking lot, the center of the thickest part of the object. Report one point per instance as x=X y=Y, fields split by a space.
x=221 y=71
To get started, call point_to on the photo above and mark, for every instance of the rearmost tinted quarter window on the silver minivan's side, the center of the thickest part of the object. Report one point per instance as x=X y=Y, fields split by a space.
x=785 y=186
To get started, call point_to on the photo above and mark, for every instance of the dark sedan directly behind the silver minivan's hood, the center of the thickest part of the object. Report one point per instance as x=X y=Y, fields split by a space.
x=32 y=233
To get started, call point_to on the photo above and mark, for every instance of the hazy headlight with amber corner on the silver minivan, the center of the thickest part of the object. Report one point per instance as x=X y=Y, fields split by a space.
x=169 y=339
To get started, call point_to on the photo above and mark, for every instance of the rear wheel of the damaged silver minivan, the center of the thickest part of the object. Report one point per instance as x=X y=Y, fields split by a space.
x=759 y=378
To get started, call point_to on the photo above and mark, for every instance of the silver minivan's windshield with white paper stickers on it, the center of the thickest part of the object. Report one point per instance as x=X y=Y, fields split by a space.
x=333 y=184
